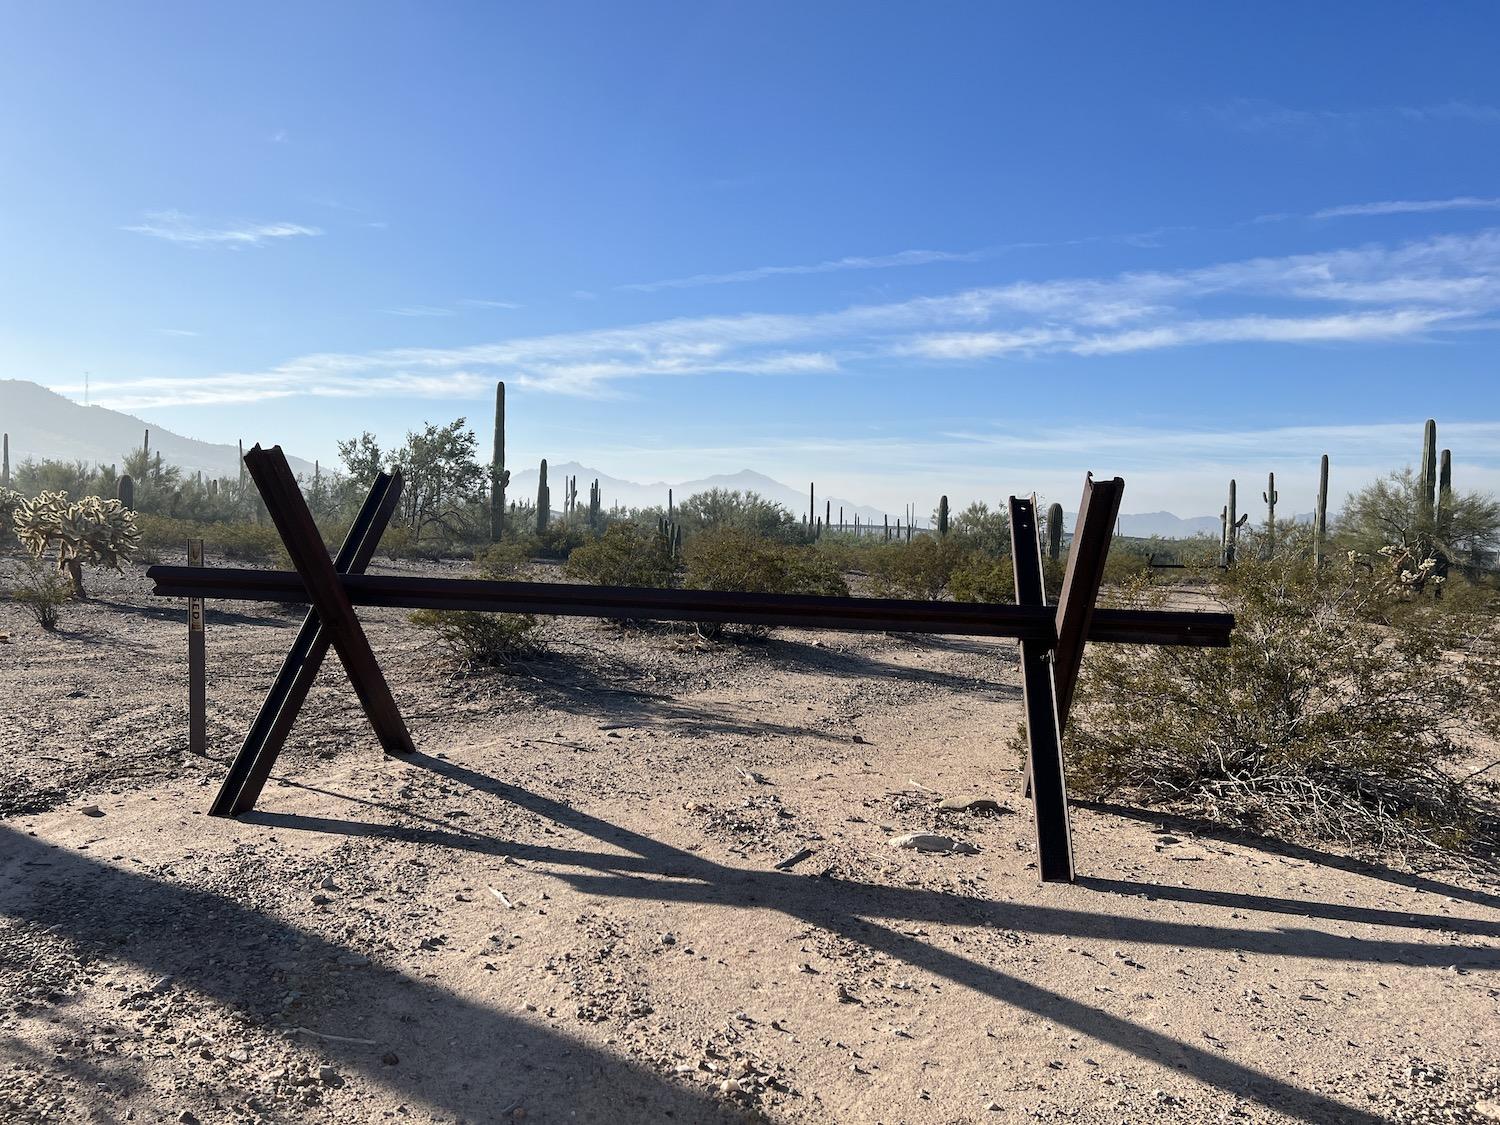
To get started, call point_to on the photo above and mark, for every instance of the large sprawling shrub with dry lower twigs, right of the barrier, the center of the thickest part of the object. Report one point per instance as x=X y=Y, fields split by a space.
x=1313 y=722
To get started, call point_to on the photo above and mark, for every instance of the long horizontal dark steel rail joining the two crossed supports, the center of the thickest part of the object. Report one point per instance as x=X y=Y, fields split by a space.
x=638 y=604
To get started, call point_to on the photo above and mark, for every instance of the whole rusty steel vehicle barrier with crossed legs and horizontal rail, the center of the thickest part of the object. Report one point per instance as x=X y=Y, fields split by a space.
x=1052 y=640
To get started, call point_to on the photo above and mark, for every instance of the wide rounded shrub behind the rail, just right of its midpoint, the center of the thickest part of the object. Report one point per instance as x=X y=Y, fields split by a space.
x=733 y=559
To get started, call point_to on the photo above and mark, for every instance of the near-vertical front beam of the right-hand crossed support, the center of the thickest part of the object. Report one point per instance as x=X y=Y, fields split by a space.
x=1040 y=695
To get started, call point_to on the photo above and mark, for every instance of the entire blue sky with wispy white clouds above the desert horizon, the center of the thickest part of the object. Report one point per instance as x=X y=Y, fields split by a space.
x=901 y=250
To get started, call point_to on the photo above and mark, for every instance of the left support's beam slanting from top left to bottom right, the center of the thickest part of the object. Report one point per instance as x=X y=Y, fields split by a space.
x=289 y=511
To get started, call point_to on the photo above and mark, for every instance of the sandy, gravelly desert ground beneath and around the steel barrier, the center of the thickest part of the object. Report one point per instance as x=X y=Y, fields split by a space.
x=568 y=907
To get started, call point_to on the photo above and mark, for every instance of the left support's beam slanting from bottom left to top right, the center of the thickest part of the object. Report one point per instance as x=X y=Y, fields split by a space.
x=268 y=736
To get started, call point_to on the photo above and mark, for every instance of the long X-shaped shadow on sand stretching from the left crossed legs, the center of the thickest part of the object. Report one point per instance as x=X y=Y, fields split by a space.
x=649 y=869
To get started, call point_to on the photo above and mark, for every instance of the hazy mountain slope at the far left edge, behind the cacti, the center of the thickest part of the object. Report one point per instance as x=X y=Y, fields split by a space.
x=43 y=425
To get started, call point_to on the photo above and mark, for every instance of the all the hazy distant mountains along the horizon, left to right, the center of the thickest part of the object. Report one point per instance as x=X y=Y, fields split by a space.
x=46 y=425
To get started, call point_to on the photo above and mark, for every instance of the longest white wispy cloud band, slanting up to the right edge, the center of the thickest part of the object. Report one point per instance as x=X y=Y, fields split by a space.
x=1412 y=292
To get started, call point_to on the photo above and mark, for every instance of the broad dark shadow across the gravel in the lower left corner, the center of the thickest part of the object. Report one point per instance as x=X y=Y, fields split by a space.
x=182 y=932
